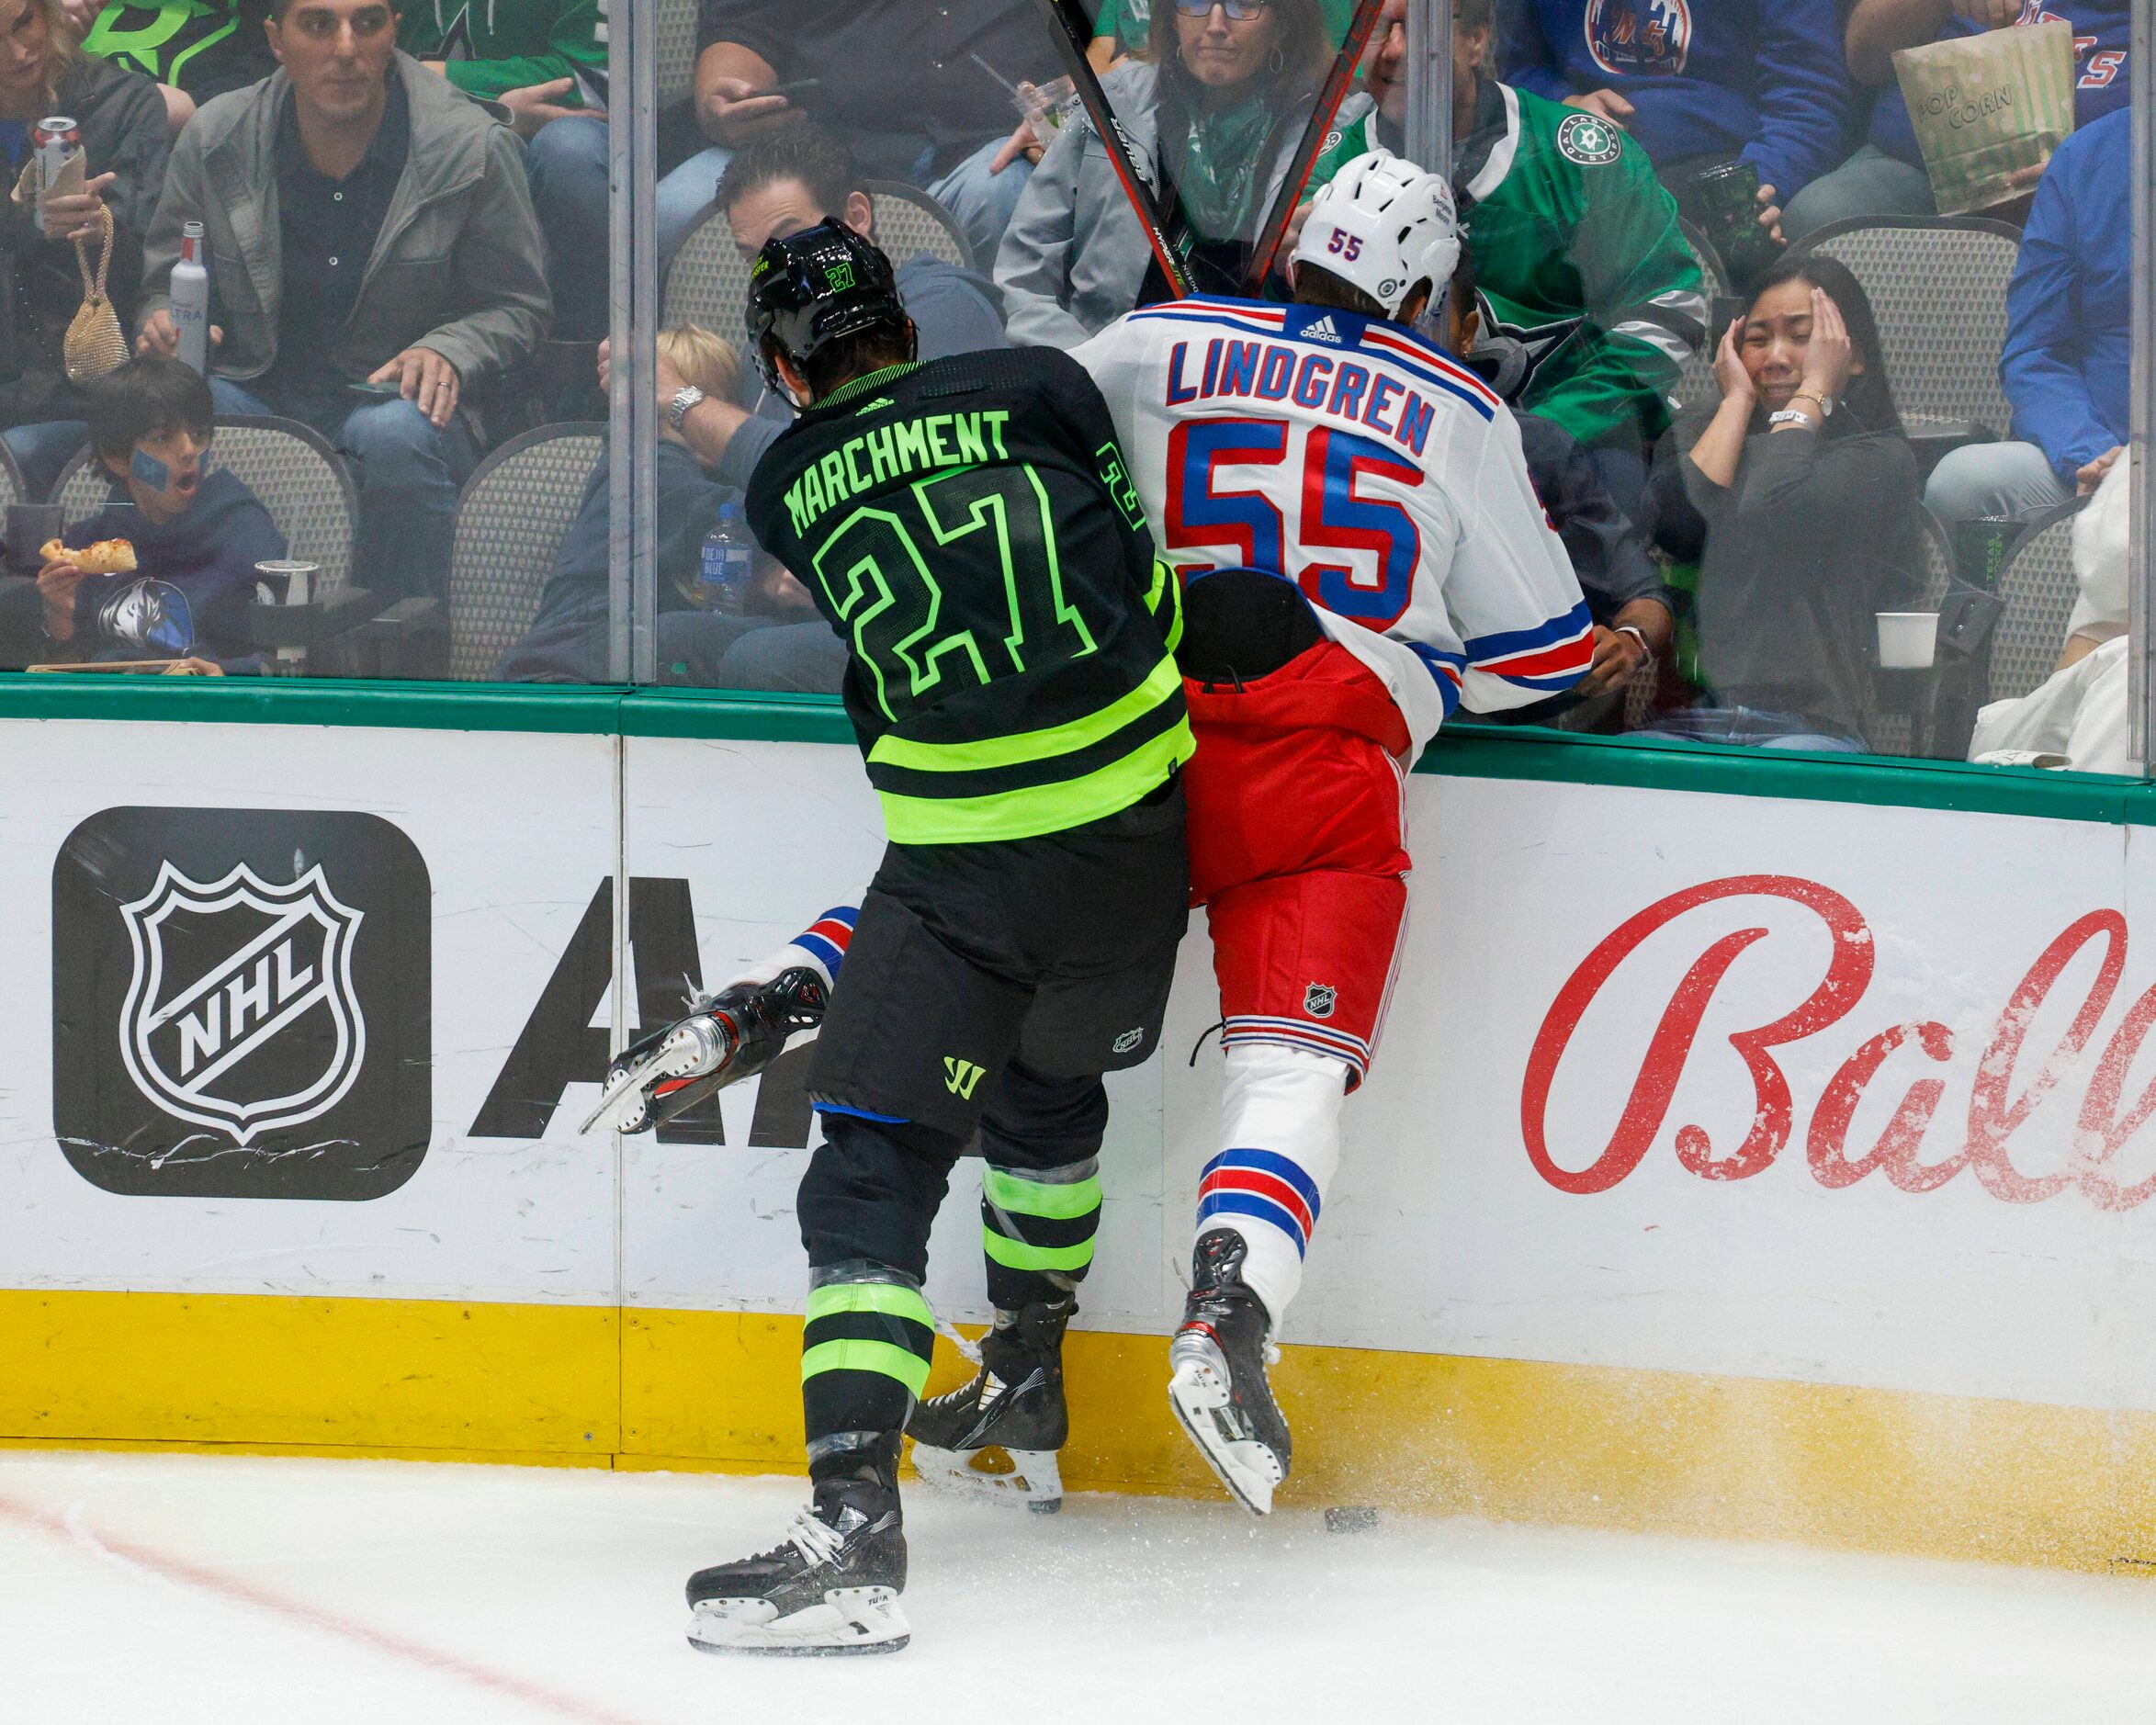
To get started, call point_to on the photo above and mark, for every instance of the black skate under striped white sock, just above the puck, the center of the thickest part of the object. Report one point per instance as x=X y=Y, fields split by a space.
x=1219 y=1383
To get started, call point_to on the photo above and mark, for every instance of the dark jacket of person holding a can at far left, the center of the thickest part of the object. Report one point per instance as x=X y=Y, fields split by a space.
x=124 y=133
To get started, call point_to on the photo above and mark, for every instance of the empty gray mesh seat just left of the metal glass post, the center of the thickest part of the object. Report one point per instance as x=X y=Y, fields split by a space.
x=512 y=521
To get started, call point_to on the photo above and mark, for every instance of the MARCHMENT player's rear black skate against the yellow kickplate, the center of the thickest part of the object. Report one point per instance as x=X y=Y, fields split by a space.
x=1014 y=1403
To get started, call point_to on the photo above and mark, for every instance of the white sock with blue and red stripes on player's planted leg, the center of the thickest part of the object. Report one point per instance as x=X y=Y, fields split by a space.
x=1280 y=1144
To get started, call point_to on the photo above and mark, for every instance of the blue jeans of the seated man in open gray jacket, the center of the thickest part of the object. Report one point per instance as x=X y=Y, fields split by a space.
x=409 y=473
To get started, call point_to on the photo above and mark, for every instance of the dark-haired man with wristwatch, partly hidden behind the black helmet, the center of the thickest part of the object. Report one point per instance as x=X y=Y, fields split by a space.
x=782 y=187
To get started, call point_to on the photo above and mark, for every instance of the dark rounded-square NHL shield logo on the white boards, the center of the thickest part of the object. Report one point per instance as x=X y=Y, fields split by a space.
x=243 y=1004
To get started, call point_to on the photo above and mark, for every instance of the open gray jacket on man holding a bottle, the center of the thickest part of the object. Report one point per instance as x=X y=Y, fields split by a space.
x=458 y=266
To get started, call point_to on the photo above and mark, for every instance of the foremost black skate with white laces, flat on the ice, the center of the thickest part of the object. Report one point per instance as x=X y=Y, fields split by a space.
x=831 y=1588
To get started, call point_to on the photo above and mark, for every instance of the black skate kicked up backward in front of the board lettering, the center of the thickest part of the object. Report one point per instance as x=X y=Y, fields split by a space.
x=725 y=1038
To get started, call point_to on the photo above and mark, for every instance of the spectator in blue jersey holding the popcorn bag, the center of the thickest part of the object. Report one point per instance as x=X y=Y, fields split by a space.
x=1888 y=178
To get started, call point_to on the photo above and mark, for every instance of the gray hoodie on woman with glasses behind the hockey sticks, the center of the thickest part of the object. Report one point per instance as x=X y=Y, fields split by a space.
x=1075 y=256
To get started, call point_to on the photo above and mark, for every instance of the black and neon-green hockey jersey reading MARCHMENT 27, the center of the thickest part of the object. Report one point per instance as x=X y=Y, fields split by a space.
x=973 y=536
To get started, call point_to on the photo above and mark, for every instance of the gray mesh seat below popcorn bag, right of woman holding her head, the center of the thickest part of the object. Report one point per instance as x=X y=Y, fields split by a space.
x=1939 y=290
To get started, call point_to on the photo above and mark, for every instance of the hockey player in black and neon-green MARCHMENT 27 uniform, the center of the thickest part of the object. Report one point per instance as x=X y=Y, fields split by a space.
x=969 y=529
